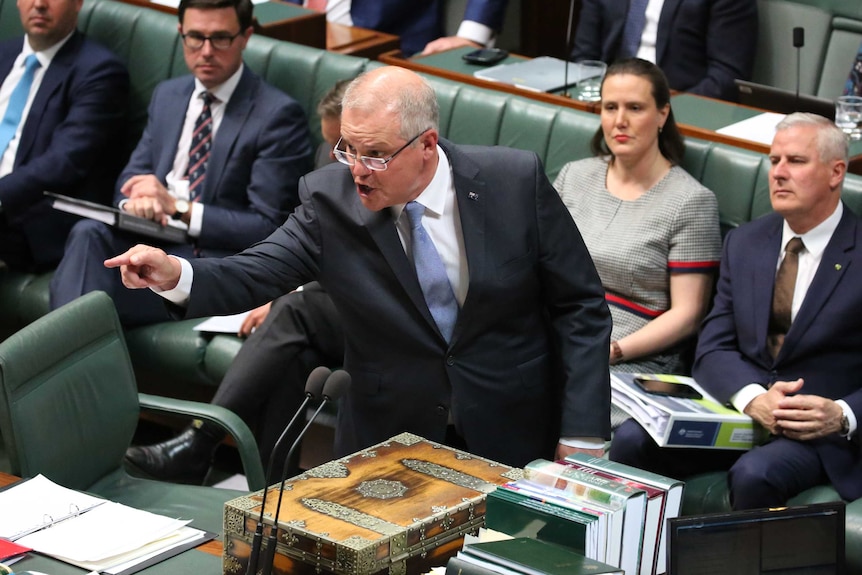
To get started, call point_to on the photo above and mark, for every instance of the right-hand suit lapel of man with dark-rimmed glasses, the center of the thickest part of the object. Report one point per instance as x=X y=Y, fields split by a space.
x=239 y=107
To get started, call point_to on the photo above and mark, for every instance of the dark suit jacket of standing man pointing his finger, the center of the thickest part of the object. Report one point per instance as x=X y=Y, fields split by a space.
x=533 y=295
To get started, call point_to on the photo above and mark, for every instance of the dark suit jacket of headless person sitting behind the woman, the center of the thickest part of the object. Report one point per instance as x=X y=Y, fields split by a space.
x=702 y=45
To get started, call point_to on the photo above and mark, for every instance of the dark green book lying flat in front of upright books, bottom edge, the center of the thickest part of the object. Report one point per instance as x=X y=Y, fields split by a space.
x=533 y=557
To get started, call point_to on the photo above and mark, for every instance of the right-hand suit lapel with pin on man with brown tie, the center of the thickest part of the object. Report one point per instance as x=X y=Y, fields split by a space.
x=837 y=258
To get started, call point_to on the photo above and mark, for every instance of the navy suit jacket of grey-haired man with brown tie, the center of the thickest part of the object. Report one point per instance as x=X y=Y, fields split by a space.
x=823 y=344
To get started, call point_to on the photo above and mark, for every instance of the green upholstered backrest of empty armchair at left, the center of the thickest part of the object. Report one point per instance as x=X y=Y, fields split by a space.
x=68 y=400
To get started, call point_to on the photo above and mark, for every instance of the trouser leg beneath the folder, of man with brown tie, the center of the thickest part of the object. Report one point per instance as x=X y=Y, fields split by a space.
x=633 y=446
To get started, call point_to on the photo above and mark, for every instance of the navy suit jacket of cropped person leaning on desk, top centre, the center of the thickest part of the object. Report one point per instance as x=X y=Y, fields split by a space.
x=418 y=23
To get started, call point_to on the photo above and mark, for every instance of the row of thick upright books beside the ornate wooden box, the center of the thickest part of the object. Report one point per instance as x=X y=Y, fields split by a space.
x=607 y=511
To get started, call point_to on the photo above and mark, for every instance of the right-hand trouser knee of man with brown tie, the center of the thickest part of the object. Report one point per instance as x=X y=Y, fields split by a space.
x=769 y=475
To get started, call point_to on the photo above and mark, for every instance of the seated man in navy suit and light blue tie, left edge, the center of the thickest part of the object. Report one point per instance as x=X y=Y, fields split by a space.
x=62 y=136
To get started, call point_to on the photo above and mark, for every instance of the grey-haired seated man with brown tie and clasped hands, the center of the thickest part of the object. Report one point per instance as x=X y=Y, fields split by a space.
x=782 y=342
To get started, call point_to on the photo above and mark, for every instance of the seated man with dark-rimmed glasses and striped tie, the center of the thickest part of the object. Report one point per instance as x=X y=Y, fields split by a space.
x=221 y=156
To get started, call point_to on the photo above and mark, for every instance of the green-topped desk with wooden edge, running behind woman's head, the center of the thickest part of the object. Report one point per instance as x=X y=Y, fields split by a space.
x=697 y=116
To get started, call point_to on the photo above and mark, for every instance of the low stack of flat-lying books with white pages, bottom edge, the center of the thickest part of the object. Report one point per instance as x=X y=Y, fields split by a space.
x=524 y=556
